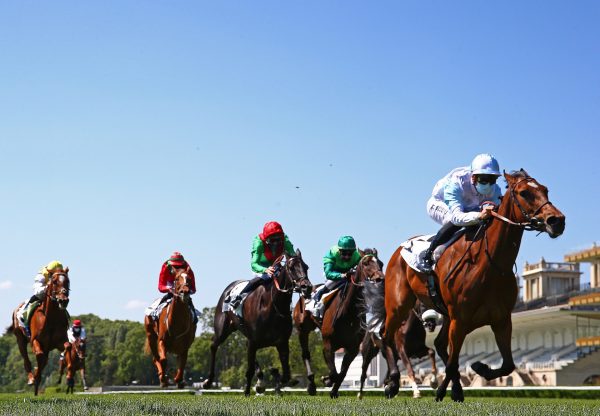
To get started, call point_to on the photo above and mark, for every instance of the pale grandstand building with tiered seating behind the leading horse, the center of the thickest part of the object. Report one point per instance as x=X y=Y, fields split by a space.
x=556 y=332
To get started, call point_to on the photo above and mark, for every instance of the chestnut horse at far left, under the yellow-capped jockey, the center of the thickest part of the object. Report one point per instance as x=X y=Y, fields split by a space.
x=49 y=324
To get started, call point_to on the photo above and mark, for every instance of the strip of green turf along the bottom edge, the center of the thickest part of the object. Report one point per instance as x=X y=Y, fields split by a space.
x=144 y=404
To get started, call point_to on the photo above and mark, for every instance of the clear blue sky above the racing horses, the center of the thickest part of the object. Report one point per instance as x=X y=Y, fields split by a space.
x=132 y=129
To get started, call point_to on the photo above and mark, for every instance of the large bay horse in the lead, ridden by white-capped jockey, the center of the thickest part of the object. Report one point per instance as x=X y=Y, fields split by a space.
x=476 y=282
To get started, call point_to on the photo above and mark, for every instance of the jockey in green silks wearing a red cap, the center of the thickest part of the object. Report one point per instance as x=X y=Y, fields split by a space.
x=266 y=248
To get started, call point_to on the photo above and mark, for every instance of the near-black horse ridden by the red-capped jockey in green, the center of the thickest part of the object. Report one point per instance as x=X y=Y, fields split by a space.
x=267 y=319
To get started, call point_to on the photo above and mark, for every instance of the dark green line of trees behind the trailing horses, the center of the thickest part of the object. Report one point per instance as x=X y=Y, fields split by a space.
x=115 y=356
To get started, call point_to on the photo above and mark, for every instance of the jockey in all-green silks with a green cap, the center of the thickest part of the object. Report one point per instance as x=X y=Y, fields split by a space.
x=338 y=261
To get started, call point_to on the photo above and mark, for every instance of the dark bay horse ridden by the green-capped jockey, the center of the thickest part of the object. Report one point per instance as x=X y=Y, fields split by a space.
x=343 y=325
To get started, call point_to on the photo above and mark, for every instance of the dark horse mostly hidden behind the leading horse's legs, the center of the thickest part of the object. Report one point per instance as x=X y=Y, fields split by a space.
x=409 y=342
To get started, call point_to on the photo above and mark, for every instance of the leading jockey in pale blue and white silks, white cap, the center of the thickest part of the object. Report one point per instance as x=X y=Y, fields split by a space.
x=462 y=198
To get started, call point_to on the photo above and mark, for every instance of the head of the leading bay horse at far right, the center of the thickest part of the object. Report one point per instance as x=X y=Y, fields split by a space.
x=533 y=206
